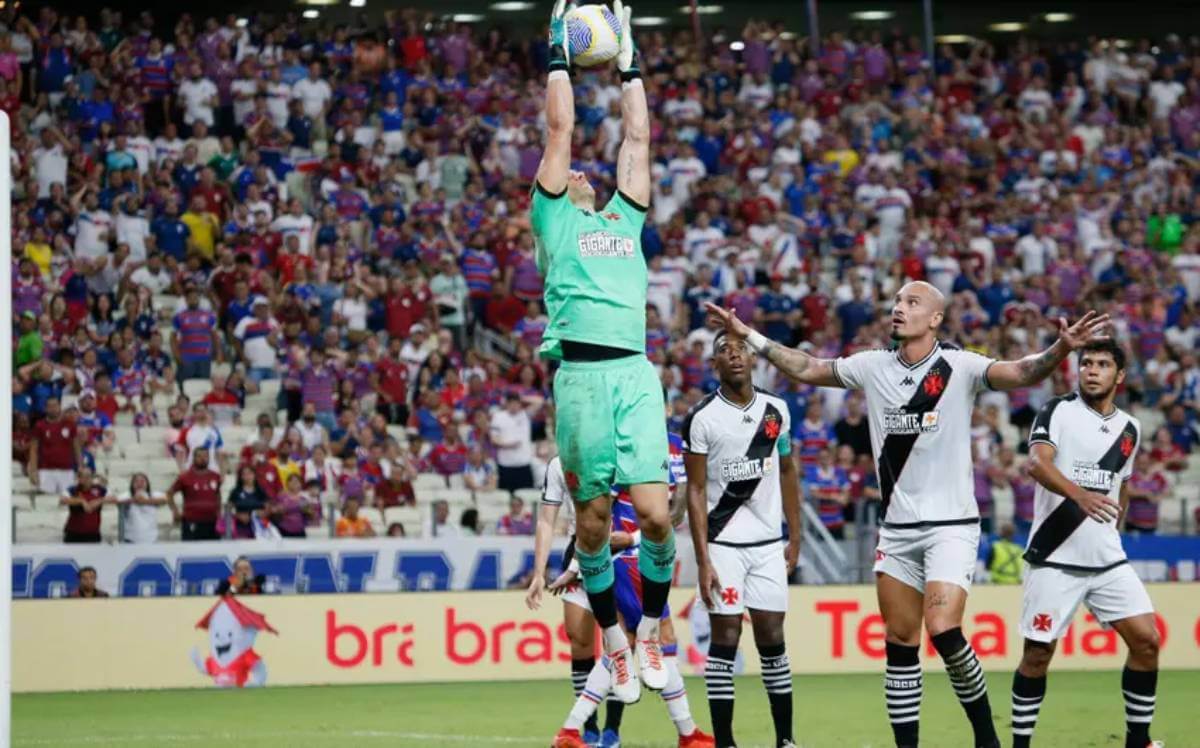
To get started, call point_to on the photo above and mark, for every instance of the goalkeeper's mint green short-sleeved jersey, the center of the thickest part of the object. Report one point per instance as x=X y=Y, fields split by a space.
x=595 y=272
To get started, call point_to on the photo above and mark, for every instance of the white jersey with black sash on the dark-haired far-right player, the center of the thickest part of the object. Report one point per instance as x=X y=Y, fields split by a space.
x=1097 y=453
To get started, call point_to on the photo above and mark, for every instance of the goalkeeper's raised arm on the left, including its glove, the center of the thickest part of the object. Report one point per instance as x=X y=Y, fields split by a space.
x=556 y=160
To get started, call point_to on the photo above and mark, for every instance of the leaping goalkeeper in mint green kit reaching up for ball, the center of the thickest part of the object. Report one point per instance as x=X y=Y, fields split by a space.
x=611 y=424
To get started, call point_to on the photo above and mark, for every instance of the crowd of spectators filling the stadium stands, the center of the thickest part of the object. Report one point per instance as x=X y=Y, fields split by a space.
x=339 y=214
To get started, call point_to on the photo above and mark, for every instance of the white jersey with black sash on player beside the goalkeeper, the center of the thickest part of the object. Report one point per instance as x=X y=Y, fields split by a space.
x=745 y=447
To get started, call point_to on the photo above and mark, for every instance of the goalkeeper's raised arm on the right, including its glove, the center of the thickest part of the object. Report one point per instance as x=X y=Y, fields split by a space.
x=634 y=159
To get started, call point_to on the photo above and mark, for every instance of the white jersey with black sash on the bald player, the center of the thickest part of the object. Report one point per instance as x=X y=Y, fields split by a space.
x=920 y=417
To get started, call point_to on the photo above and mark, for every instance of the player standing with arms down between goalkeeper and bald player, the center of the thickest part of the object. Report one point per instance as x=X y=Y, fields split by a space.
x=742 y=483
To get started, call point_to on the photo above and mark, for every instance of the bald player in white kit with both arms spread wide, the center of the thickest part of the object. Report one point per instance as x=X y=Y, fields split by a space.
x=920 y=398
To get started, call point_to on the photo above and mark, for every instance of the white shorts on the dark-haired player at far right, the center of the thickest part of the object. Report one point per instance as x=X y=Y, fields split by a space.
x=1052 y=597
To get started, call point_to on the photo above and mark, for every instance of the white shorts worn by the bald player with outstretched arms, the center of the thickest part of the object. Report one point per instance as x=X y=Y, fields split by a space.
x=939 y=554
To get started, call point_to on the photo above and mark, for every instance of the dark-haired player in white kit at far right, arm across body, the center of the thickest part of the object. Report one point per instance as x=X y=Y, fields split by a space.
x=1082 y=453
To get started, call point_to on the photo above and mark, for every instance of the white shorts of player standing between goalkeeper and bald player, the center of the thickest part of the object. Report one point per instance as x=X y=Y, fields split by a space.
x=754 y=578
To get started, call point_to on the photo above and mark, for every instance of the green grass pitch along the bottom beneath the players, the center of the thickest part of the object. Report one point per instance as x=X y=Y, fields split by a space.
x=1082 y=710
